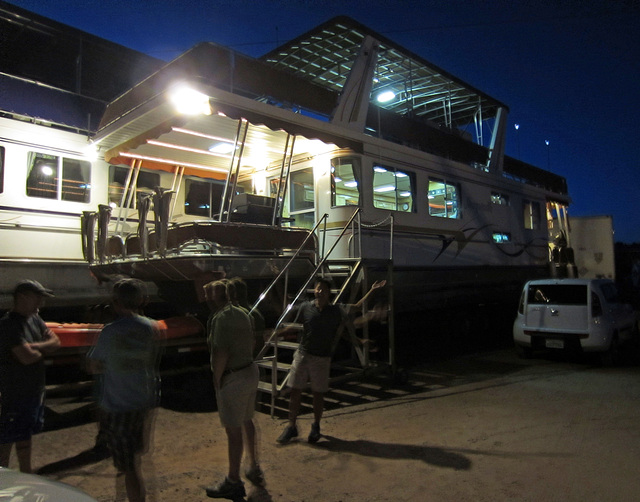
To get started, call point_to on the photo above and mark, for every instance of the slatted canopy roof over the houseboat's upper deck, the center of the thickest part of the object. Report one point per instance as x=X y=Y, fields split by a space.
x=415 y=87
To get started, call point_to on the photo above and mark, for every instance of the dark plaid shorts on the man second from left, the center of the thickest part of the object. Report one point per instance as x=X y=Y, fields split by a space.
x=127 y=435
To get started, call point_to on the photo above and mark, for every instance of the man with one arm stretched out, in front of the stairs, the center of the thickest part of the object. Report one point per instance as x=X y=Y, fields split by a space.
x=312 y=360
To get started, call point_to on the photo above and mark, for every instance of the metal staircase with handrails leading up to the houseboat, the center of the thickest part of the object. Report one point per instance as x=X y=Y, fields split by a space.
x=351 y=280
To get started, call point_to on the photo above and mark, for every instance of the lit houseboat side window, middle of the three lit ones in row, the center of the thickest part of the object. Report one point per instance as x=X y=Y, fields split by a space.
x=393 y=189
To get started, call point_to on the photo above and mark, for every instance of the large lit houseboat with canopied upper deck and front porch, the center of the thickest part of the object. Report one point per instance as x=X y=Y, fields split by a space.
x=339 y=145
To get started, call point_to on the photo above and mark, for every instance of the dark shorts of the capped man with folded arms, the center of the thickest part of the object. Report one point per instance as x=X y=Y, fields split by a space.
x=20 y=417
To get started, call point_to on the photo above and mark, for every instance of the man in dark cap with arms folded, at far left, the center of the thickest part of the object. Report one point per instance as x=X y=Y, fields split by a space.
x=24 y=340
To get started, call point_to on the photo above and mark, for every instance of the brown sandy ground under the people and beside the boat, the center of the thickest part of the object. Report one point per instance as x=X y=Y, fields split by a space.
x=484 y=427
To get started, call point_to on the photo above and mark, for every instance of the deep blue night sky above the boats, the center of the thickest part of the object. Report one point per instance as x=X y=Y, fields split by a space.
x=568 y=70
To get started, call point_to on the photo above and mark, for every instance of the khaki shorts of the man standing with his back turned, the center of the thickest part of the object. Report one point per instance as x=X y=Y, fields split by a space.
x=236 y=397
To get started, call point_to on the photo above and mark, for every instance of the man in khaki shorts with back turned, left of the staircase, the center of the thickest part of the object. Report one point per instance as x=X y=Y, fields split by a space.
x=235 y=378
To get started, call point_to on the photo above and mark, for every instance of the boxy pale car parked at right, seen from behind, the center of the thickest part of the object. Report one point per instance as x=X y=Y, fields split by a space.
x=573 y=314
